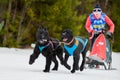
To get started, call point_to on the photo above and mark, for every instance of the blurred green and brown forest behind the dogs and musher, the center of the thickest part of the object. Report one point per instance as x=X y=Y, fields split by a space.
x=23 y=17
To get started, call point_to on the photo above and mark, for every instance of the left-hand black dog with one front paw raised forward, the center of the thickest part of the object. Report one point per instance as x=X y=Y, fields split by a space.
x=49 y=47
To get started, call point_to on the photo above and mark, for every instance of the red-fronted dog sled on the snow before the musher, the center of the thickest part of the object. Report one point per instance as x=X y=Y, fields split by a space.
x=101 y=53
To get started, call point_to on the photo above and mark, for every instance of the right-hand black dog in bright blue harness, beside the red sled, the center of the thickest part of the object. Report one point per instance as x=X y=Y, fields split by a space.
x=74 y=46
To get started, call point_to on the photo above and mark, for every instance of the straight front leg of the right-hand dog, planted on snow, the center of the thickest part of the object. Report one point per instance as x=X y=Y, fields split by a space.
x=75 y=62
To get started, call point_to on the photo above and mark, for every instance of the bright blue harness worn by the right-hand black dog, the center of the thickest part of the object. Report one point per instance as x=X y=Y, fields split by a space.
x=71 y=50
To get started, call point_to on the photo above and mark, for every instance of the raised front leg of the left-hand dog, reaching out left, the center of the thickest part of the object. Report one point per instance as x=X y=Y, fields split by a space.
x=34 y=55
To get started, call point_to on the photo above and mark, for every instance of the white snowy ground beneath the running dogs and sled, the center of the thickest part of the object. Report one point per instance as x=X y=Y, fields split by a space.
x=14 y=66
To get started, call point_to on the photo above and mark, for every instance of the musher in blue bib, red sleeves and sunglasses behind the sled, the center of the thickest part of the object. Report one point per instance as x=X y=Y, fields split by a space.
x=95 y=25
